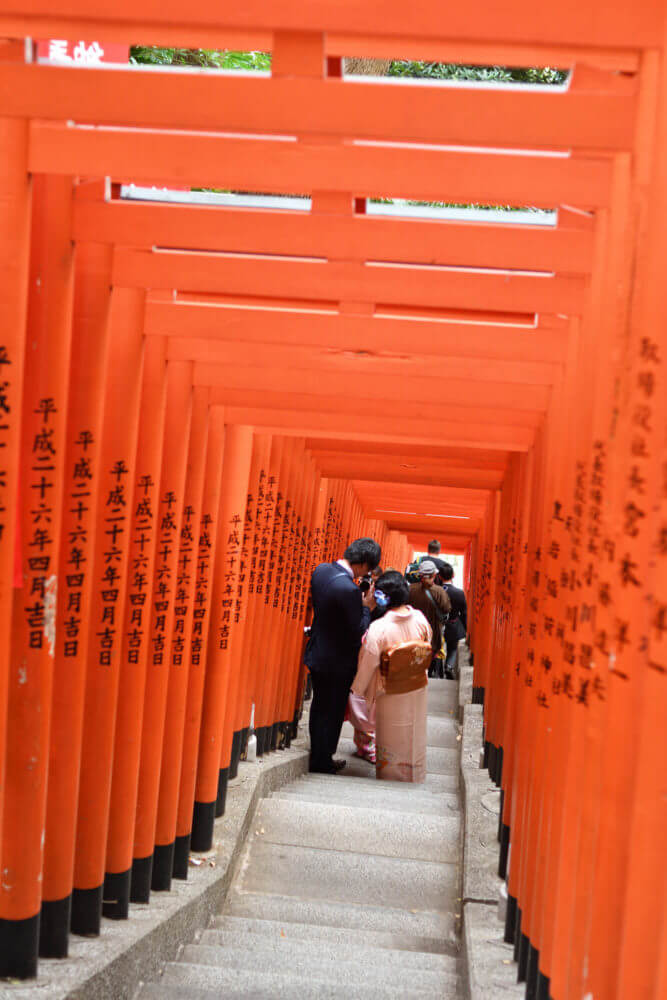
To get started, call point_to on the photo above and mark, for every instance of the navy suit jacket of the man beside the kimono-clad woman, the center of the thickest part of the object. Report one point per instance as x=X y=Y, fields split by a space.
x=339 y=621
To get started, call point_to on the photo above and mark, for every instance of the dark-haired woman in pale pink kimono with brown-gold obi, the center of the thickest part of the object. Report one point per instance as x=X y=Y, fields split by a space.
x=392 y=675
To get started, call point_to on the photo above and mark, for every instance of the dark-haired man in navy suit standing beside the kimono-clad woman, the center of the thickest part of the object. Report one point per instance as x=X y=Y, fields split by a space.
x=341 y=616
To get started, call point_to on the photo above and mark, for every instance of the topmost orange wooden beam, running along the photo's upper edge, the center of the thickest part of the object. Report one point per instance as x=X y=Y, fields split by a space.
x=614 y=23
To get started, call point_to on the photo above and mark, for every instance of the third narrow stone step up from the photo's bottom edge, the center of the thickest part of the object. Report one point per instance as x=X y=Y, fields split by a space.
x=263 y=947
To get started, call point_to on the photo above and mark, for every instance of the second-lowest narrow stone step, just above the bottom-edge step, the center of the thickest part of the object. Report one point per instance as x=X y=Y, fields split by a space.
x=315 y=963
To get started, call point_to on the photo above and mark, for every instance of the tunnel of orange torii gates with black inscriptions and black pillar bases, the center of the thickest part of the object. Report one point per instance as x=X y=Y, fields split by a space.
x=200 y=400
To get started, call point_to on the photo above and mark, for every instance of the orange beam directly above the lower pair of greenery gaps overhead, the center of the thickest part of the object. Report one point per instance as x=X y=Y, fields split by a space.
x=375 y=170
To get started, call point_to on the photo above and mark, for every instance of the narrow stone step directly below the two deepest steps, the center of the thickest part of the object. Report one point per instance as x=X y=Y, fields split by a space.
x=415 y=922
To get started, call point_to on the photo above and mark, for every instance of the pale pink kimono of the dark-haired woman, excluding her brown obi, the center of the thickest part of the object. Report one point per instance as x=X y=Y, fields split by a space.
x=400 y=718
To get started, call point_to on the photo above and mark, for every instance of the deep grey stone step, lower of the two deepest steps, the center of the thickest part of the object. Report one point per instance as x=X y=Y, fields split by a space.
x=348 y=877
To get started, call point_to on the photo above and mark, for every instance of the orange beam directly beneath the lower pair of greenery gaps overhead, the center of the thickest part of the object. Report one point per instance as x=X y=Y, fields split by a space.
x=565 y=248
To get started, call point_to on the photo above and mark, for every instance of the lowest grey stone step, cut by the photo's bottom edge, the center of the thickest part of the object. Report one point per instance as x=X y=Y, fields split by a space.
x=209 y=981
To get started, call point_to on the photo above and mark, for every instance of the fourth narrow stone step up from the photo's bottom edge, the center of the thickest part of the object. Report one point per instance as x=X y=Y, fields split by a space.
x=343 y=937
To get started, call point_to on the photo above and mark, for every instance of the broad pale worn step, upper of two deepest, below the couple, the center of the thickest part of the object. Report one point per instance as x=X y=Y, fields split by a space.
x=373 y=831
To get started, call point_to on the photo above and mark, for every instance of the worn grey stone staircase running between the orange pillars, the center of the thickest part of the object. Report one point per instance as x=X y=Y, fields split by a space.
x=349 y=887
